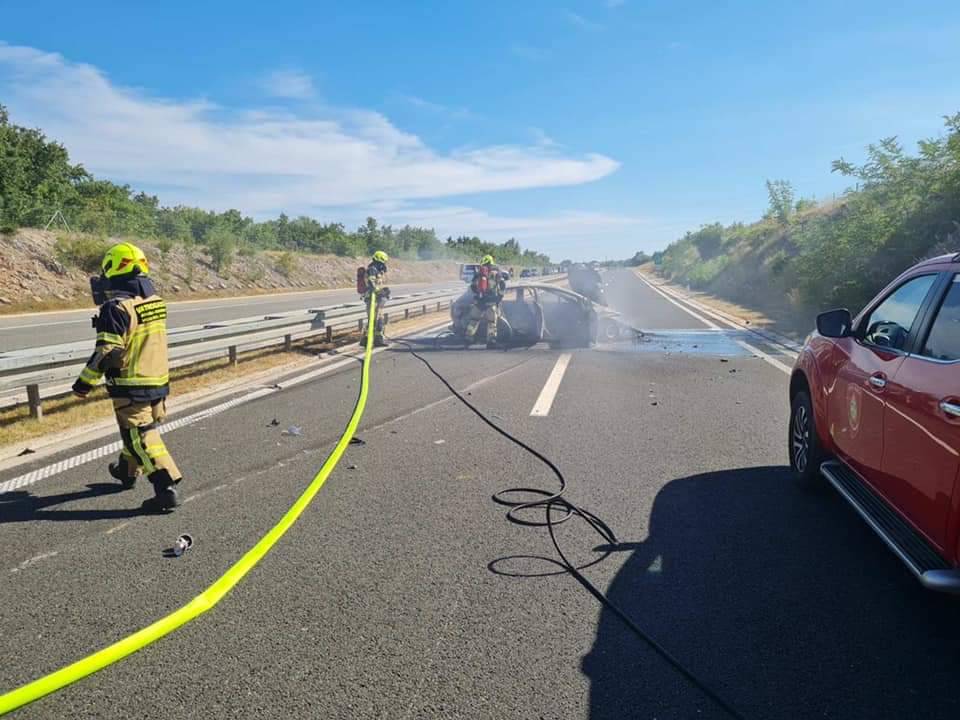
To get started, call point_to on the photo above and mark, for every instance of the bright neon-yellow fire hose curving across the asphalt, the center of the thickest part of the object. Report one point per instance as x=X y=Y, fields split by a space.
x=212 y=595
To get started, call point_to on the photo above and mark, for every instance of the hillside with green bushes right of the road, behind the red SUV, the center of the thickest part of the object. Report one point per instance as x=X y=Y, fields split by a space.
x=804 y=256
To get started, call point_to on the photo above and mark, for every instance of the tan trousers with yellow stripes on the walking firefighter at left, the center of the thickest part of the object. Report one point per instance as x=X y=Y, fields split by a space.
x=142 y=445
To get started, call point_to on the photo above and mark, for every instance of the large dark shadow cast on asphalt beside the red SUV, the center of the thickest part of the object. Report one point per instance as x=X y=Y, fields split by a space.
x=782 y=600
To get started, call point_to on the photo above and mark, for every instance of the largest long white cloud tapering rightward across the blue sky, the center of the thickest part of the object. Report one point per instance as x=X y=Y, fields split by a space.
x=260 y=160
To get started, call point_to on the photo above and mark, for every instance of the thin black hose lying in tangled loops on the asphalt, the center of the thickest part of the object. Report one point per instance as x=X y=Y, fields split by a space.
x=552 y=502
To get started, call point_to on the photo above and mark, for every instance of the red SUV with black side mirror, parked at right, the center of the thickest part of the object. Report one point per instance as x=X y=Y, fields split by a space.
x=875 y=408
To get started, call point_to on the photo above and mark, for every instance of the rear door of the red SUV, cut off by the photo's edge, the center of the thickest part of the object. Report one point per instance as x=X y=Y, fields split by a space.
x=921 y=454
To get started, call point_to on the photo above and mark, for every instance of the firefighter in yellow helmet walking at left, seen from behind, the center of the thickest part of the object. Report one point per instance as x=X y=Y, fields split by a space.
x=131 y=353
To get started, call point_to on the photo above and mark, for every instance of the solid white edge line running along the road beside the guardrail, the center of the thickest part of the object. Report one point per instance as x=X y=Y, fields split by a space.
x=47 y=471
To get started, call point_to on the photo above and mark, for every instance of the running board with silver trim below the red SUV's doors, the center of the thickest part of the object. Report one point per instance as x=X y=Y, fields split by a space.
x=919 y=556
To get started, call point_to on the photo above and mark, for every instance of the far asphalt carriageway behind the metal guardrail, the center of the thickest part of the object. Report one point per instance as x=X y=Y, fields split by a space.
x=51 y=328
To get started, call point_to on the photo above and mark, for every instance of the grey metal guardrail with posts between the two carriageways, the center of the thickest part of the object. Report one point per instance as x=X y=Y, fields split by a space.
x=39 y=368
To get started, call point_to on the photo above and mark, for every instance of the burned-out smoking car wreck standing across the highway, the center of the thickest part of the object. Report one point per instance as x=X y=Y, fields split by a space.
x=531 y=313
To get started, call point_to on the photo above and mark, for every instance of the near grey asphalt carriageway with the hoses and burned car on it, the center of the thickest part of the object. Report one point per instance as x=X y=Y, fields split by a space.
x=400 y=593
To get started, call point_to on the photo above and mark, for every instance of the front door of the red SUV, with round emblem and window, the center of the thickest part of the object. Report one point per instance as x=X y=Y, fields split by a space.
x=865 y=364
